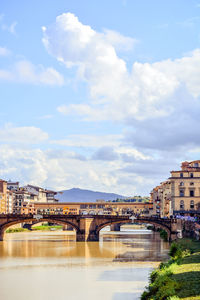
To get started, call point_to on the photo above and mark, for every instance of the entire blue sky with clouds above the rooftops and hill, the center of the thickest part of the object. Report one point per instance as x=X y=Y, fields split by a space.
x=100 y=95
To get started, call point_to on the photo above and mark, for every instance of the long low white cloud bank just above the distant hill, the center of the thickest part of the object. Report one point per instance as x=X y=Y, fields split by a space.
x=64 y=170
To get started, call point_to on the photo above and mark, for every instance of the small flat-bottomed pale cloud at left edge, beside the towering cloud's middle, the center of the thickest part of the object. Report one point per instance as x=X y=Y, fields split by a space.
x=25 y=72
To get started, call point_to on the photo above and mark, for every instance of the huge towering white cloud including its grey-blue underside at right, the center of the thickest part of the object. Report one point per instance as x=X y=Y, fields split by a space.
x=158 y=101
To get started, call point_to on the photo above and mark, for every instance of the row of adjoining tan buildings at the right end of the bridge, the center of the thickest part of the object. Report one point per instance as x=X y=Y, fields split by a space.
x=180 y=194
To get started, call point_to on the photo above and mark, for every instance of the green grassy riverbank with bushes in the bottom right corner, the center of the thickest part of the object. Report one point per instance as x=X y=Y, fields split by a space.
x=179 y=278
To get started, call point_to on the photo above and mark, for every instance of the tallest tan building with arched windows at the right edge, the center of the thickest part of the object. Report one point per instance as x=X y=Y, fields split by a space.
x=185 y=189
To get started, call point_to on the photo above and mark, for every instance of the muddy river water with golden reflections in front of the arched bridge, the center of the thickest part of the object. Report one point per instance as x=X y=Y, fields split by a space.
x=52 y=266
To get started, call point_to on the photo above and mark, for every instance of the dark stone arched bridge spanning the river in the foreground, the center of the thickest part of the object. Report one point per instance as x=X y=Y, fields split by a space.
x=88 y=226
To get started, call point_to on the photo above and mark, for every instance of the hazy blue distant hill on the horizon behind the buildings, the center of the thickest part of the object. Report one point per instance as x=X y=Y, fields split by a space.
x=79 y=195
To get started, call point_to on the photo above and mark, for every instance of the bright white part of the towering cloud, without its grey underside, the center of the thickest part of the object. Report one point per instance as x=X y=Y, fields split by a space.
x=116 y=93
